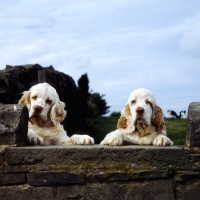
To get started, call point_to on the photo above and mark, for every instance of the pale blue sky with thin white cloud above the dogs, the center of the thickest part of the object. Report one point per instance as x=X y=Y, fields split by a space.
x=122 y=45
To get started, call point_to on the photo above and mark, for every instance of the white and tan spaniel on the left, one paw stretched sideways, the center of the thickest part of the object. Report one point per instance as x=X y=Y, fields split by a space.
x=46 y=112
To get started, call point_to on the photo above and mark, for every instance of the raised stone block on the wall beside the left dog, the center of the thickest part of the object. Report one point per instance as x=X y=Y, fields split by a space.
x=14 y=124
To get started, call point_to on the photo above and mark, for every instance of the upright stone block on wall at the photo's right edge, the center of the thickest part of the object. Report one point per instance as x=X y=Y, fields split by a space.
x=193 y=125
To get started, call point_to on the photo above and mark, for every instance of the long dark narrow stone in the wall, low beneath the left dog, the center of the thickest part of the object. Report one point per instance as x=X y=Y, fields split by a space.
x=49 y=178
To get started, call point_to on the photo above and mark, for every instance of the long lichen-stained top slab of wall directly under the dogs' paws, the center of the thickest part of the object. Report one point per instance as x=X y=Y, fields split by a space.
x=99 y=159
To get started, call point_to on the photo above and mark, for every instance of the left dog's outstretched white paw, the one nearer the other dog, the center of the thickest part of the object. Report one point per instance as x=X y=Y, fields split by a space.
x=82 y=140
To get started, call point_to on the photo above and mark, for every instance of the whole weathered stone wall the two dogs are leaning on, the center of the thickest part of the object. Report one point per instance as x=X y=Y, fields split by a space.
x=101 y=172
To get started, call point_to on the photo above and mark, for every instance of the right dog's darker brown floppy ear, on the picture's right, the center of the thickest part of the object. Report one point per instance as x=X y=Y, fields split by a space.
x=158 y=120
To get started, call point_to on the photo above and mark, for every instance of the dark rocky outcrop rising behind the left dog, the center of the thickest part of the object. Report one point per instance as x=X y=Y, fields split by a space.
x=16 y=79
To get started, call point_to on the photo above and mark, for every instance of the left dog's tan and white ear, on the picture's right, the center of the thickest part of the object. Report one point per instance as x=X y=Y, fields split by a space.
x=57 y=112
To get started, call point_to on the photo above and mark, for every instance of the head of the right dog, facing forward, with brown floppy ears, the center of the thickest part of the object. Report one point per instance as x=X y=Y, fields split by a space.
x=142 y=108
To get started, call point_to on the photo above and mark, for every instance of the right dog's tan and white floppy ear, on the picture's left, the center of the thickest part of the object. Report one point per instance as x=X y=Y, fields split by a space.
x=125 y=123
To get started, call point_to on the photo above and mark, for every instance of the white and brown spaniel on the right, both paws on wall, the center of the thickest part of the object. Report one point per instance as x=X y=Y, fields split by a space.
x=141 y=122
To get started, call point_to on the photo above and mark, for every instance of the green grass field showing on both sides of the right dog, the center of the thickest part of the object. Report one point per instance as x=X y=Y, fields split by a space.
x=176 y=128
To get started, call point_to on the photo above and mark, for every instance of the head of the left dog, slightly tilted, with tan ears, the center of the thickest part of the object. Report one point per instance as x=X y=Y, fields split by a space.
x=43 y=104
